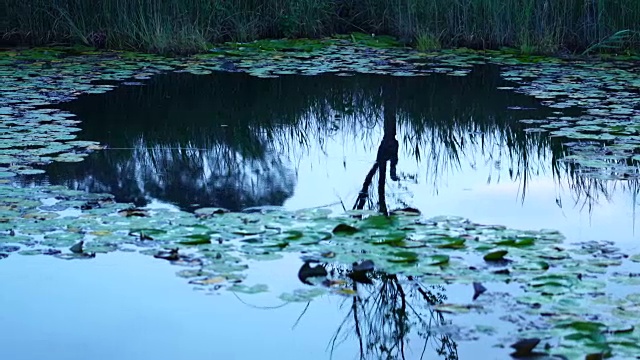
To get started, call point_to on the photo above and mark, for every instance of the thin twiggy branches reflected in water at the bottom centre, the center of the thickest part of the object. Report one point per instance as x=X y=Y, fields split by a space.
x=387 y=311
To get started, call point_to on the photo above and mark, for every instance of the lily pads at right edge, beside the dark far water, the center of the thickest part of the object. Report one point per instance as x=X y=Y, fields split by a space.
x=605 y=137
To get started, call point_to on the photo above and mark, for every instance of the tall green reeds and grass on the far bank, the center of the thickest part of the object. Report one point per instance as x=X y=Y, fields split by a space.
x=191 y=25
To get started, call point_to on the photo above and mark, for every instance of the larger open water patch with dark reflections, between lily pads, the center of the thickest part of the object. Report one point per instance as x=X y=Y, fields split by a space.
x=235 y=141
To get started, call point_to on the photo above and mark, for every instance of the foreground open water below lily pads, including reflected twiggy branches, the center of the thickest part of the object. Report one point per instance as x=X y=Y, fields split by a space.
x=161 y=318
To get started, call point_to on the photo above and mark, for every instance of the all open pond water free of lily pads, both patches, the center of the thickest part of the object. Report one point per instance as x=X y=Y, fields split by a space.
x=235 y=141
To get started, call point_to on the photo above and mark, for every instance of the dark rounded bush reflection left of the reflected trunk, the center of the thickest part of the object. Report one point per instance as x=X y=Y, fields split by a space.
x=187 y=176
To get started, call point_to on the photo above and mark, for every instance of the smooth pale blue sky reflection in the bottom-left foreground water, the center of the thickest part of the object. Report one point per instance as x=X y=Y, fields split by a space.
x=130 y=307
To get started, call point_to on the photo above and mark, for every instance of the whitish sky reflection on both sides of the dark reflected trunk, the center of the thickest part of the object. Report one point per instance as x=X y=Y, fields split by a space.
x=465 y=190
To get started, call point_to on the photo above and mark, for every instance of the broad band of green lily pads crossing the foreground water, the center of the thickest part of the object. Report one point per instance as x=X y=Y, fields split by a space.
x=562 y=285
